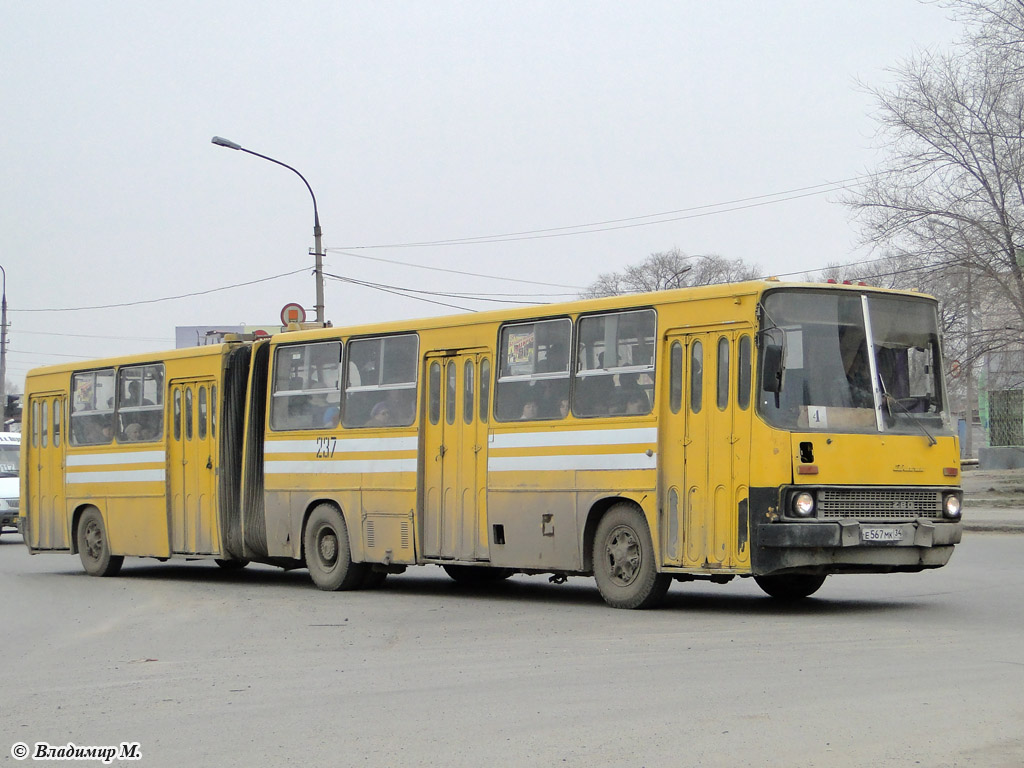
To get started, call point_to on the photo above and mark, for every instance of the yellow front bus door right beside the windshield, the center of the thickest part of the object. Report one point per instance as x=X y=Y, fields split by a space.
x=705 y=452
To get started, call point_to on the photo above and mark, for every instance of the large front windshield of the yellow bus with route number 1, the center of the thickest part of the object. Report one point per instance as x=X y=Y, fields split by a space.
x=851 y=363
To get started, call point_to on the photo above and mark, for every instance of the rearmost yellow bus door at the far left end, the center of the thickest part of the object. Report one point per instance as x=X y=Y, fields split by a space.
x=46 y=473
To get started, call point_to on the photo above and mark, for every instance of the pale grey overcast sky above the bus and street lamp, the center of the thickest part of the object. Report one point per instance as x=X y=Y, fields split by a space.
x=415 y=122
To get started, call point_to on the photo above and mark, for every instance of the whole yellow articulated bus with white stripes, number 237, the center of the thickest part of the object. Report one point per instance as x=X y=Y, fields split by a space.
x=780 y=432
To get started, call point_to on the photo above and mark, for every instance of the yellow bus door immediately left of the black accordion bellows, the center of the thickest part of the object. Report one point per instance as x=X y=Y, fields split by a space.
x=191 y=459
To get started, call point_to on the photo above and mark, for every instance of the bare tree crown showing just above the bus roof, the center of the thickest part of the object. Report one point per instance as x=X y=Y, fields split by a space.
x=671 y=270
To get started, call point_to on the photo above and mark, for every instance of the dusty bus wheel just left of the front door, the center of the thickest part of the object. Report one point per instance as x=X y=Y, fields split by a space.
x=624 y=561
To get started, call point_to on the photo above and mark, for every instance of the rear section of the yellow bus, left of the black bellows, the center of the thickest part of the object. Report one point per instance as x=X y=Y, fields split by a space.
x=133 y=457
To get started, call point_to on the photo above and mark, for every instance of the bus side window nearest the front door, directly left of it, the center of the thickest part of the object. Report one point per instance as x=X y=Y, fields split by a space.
x=616 y=364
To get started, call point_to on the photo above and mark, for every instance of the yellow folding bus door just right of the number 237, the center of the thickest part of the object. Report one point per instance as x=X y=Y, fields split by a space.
x=456 y=456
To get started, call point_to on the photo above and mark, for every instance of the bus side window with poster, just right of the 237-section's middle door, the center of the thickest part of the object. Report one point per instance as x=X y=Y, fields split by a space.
x=533 y=370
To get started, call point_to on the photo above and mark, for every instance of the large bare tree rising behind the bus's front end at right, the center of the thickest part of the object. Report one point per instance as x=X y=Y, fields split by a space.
x=949 y=204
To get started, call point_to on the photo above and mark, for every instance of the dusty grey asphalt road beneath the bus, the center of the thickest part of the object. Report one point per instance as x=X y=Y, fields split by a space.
x=258 y=669
